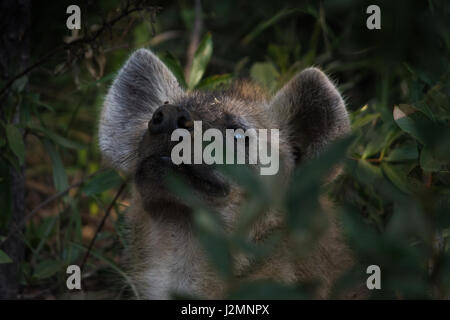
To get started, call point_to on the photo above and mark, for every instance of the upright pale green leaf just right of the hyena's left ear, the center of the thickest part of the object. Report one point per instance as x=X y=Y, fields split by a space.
x=200 y=61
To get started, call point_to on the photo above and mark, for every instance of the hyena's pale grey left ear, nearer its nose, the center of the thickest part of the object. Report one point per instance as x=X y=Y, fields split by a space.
x=143 y=84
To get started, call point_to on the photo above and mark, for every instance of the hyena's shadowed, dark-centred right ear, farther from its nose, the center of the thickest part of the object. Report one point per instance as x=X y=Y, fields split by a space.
x=311 y=113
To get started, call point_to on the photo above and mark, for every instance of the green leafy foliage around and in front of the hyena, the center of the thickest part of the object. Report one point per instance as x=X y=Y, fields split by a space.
x=393 y=194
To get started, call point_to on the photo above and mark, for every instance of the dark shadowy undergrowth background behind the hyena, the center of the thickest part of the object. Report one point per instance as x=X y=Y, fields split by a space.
x=395 y=189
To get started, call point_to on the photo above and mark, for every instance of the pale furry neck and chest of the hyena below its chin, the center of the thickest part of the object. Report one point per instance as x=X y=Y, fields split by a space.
x=165 y=258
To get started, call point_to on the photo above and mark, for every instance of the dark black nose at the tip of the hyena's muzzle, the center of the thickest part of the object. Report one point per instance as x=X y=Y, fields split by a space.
x=168 y=118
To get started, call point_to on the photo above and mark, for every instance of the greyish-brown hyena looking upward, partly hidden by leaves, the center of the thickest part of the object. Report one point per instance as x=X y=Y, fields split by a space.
x=144 y=105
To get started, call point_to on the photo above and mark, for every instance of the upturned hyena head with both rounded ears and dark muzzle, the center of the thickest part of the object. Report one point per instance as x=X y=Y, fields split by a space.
x=146 y=103
